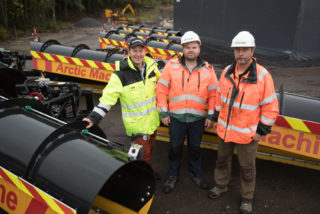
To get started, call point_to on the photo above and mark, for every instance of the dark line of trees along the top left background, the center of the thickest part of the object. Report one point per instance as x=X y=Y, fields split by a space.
x=19 y=15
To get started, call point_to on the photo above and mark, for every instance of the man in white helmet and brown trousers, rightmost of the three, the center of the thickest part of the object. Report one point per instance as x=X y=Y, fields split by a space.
x=246 y=108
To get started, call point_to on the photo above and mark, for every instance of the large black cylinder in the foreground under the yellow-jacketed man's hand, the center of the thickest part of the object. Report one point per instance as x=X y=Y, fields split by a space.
x=68 y=164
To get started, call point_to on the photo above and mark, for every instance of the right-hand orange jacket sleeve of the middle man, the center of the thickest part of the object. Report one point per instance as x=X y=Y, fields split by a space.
x=212 y=95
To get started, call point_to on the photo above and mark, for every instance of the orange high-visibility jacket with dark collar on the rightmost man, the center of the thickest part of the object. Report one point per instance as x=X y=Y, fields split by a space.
x=246 y=106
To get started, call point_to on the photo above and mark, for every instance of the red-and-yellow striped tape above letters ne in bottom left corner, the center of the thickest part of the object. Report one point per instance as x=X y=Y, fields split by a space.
x=35 y=193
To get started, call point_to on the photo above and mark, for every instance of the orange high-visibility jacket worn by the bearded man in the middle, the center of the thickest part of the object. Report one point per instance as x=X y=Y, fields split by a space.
x=188 y=92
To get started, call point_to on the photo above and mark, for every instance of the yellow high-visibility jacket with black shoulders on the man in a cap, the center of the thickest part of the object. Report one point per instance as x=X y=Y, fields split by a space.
x=137 y=97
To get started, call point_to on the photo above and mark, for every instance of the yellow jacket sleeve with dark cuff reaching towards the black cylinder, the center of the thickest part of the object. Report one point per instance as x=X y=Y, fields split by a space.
x=109 y=97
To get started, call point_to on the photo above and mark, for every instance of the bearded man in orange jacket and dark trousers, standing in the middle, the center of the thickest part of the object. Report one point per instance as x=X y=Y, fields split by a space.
x=190 y=85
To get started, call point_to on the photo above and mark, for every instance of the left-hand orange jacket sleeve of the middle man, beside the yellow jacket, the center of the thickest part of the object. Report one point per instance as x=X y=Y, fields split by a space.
x=162 y=91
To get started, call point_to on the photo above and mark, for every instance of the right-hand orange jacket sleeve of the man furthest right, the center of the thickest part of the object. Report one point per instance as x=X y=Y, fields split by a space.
x=269 y=106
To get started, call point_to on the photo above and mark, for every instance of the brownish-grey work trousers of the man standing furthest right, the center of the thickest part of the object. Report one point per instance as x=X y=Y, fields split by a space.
x=246 y=154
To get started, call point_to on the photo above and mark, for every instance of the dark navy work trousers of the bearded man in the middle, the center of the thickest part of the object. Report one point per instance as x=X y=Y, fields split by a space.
x=178 y=131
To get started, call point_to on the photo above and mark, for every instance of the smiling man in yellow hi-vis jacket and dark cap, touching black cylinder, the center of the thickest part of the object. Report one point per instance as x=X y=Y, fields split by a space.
x=134 y=83
